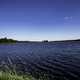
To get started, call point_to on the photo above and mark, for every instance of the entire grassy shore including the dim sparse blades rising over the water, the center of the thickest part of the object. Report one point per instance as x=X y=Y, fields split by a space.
x=12 y=74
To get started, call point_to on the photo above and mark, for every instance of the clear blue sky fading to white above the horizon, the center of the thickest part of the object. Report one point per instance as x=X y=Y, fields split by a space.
x=38 y=20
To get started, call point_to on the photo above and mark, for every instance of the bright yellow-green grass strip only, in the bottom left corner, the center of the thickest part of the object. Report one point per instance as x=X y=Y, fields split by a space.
x=14 y=76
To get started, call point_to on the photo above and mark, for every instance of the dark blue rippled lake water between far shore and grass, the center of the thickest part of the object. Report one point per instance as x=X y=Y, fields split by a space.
x=55 y=61
